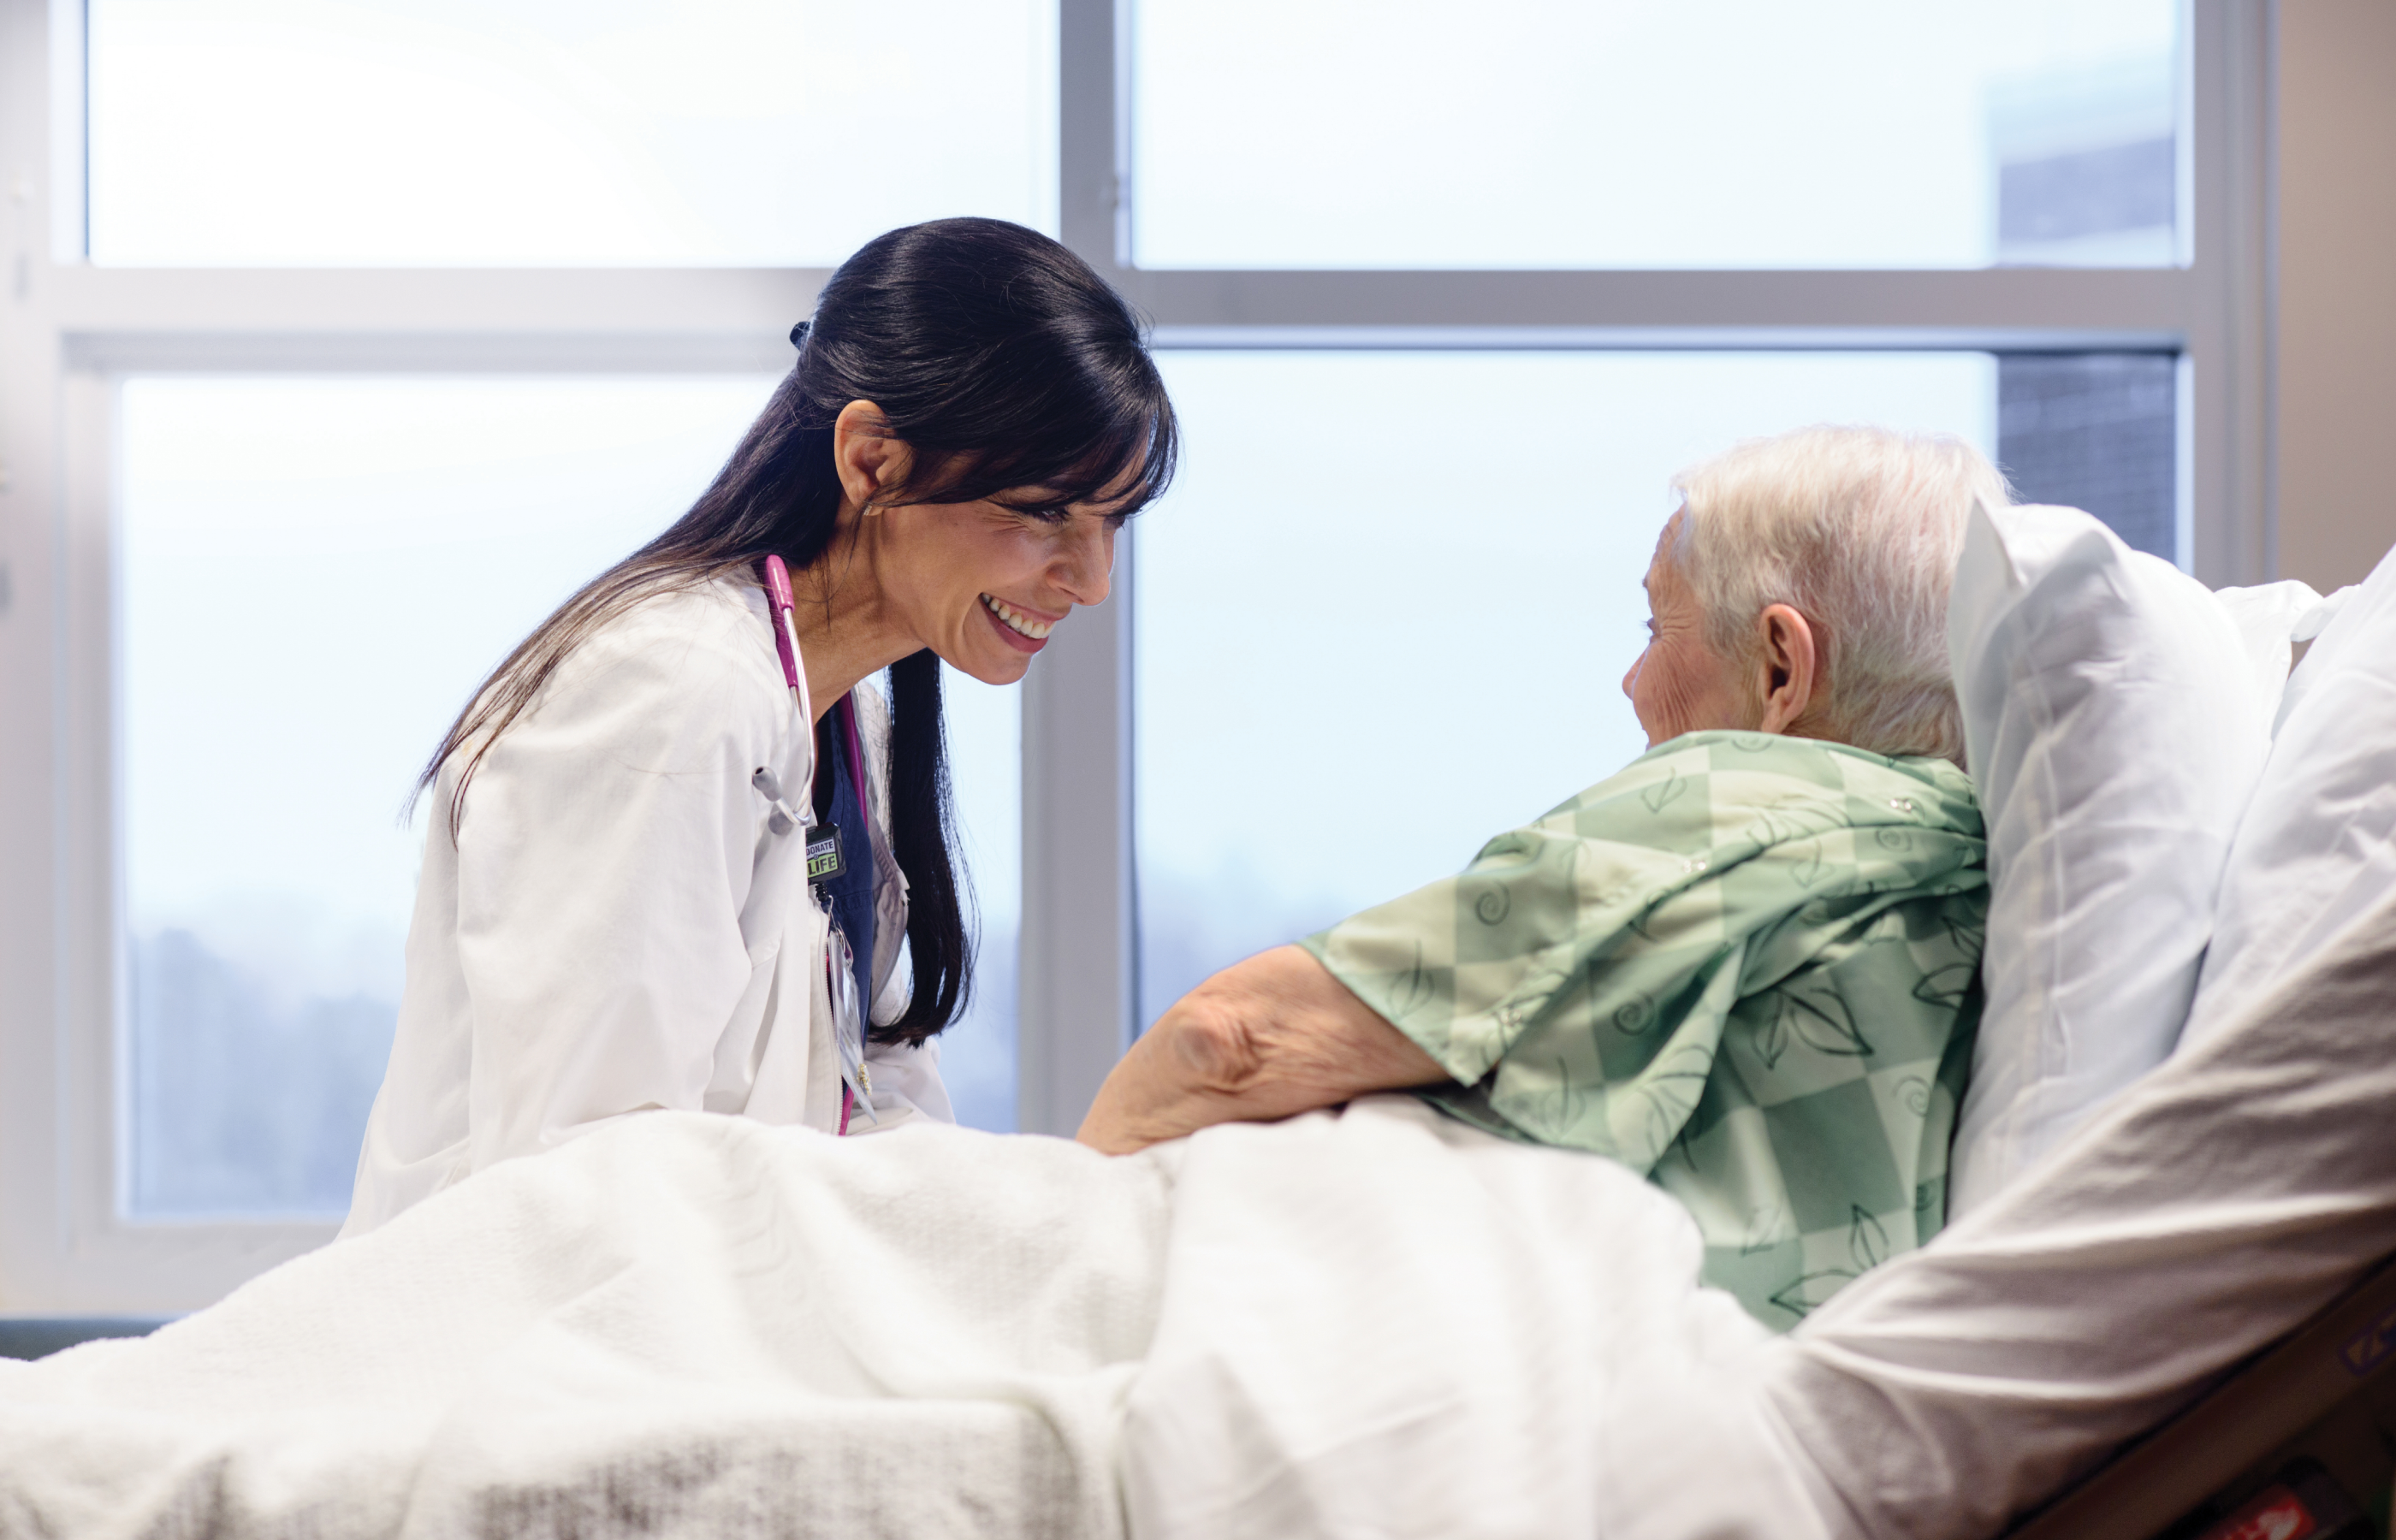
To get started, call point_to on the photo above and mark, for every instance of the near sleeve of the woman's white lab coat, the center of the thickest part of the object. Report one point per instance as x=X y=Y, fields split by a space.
x=605 y=859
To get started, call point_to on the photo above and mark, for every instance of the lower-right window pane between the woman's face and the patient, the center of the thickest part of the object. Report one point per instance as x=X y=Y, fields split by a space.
x=1388 y=607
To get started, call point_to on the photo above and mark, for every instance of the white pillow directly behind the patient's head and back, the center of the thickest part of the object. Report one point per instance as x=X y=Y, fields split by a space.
x=2114 y=734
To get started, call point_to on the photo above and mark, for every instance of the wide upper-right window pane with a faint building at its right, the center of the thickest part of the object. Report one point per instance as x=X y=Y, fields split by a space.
x=1633 y=135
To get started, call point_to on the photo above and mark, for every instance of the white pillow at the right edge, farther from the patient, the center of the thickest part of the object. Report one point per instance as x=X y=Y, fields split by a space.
x=2318 y=842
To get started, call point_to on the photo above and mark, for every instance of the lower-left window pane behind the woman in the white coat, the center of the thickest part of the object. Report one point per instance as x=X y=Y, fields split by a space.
x=315 y=574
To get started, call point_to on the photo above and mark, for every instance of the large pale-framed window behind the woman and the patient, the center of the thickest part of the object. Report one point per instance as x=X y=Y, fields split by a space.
x=346 y=337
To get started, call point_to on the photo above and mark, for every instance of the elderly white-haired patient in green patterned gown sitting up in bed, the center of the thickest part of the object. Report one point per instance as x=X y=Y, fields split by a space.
x=1748 y=964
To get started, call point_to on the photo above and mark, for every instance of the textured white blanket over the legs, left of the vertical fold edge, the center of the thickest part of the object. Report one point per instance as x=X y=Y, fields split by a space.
x=686 y=1326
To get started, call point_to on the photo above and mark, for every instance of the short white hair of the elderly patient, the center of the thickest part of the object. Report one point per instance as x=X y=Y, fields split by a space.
x=1858 y=530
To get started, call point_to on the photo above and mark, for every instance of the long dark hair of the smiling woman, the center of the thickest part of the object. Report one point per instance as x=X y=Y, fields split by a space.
x=1005 y=365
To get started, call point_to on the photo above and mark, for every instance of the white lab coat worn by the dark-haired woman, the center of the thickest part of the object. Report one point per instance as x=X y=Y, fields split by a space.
x=617 y=928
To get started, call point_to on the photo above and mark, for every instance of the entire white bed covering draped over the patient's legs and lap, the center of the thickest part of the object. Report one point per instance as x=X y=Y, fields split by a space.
x=1369 y=1323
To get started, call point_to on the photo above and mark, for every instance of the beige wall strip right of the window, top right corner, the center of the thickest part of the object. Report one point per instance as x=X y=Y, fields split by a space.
x=2337 y=289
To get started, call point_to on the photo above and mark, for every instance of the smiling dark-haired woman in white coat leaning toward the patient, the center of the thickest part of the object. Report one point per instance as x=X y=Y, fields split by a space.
x=679 y=842
